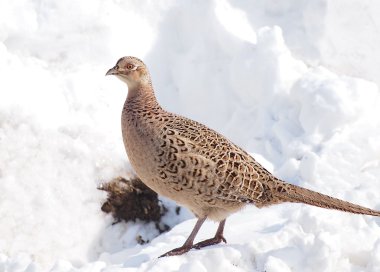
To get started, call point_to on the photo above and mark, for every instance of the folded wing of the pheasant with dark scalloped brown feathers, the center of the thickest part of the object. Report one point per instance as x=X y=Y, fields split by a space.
x=215 y=164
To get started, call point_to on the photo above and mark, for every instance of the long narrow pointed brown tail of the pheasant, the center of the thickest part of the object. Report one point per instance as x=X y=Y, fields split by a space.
x=293 y=193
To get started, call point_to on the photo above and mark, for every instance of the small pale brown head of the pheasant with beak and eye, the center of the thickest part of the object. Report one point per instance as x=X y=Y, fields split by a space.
x=130 y=70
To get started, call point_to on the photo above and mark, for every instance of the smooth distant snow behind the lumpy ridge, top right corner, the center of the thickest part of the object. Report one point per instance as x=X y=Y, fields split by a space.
x=342 y=35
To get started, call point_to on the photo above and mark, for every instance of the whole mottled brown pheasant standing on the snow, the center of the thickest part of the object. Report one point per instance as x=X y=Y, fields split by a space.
x=192 y=164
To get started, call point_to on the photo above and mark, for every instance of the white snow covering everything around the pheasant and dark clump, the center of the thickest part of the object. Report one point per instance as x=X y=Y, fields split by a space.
x=294 y=82
